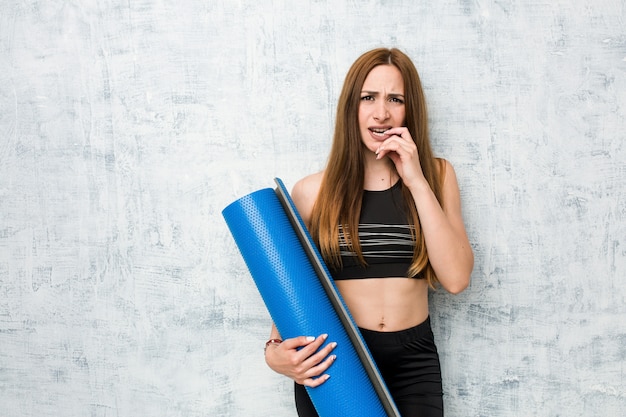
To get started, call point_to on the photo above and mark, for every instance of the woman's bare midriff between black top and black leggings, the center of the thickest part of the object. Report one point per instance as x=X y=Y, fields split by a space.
x=386 y=304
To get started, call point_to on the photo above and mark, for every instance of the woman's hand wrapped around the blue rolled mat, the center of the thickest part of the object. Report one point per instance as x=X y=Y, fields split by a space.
x=299 y=359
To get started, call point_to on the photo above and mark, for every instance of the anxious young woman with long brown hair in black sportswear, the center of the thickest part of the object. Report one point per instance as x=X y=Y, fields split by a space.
x=386 y=216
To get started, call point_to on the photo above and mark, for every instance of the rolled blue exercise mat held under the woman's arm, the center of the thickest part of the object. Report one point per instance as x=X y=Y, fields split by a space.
x=302 y=300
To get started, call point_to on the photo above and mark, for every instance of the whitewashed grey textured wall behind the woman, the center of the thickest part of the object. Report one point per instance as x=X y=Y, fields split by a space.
x=126 y=127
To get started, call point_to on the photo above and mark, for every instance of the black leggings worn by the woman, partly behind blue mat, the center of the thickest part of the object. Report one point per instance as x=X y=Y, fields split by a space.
x=409 y=364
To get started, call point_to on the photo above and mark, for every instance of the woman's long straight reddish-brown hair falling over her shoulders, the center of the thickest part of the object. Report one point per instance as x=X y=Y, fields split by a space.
x=341 y=191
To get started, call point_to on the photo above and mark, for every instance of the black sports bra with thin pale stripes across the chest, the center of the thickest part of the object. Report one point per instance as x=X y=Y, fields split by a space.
x=385 y=237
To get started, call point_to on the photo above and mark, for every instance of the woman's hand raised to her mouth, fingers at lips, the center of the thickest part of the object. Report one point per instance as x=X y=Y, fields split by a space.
x=403 y=152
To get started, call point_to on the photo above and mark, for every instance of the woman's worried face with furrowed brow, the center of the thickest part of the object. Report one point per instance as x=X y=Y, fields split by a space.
x=382 y=105
